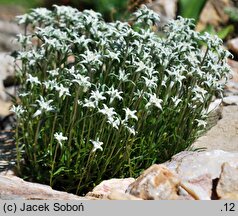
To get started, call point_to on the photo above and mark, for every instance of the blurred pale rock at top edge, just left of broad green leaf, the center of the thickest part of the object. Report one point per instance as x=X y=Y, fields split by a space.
x=166 y=8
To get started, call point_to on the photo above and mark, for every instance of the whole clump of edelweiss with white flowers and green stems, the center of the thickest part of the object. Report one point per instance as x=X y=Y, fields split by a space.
x=101 y=100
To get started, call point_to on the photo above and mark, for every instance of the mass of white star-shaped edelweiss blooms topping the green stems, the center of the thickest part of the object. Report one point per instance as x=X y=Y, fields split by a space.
x=118 y=75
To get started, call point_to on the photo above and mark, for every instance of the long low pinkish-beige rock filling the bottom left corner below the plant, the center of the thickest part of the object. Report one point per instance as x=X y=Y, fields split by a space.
x=12 y=187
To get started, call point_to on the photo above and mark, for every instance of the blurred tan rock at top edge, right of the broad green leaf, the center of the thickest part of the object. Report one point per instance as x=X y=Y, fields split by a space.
x=213 y=14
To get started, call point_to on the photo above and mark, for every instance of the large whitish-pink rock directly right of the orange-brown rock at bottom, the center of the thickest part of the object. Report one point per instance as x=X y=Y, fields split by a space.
x=198 y=170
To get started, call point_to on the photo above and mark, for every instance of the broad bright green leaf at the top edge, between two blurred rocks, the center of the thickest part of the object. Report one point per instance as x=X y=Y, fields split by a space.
x=191 y=8
